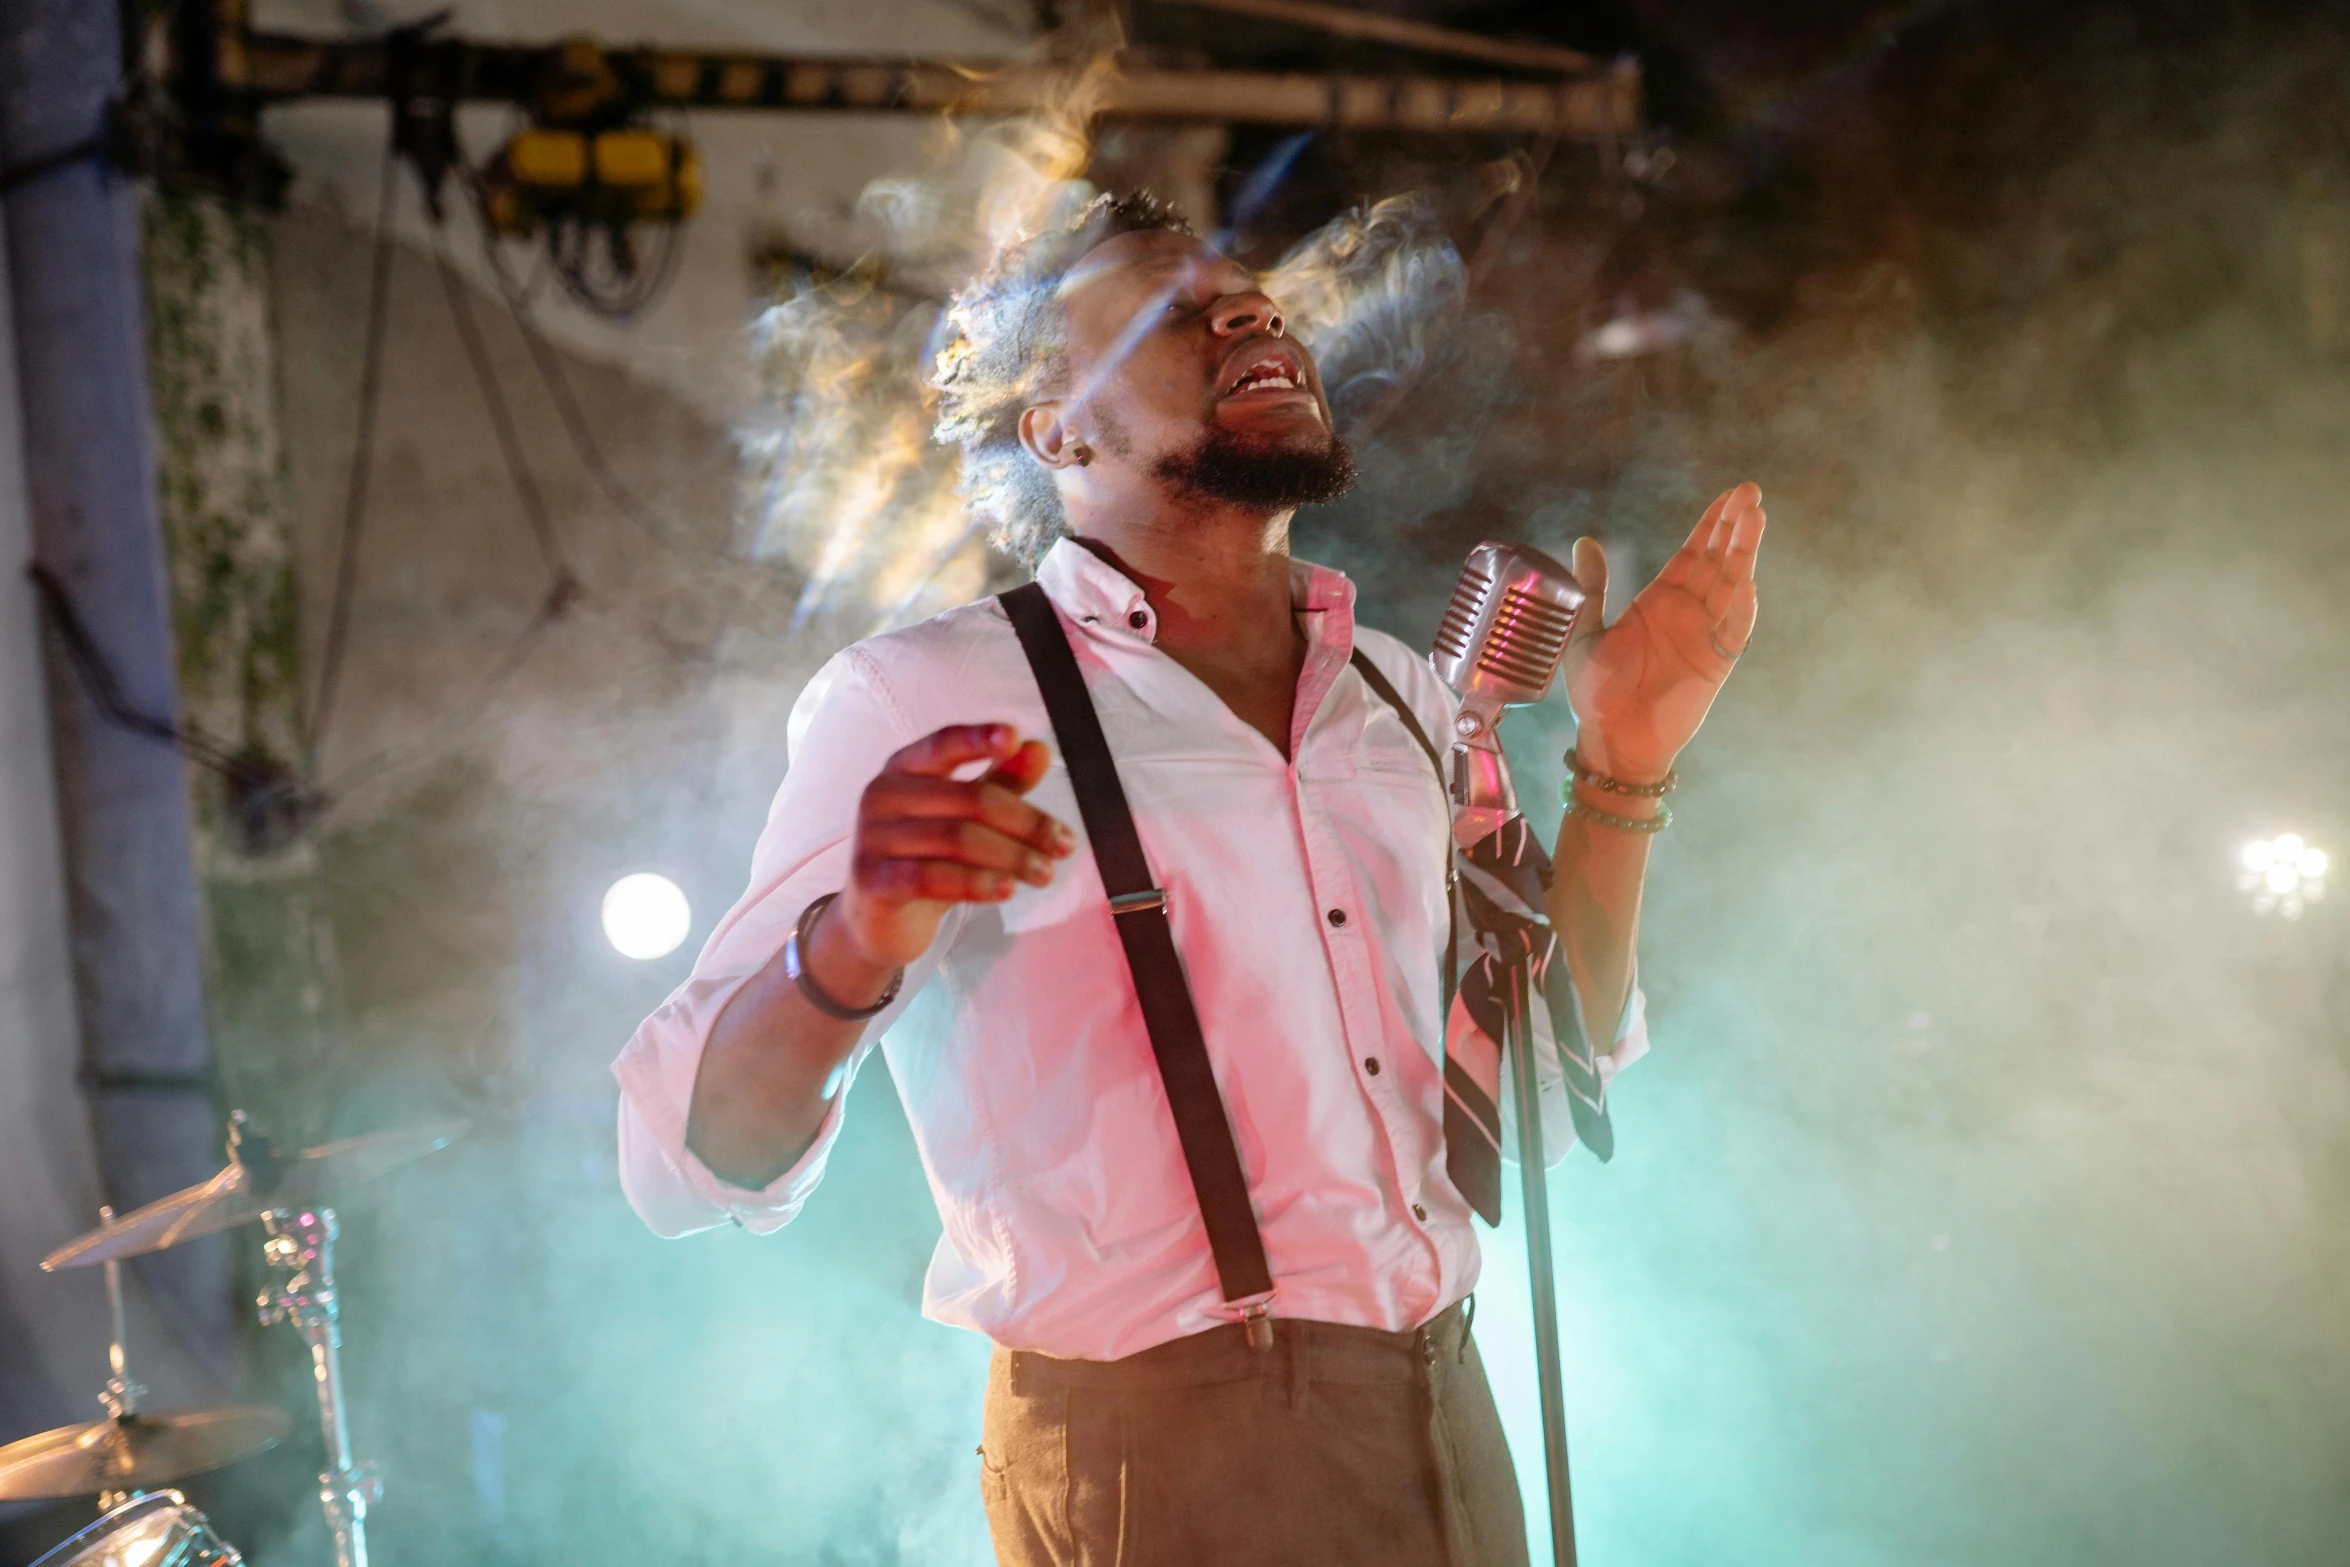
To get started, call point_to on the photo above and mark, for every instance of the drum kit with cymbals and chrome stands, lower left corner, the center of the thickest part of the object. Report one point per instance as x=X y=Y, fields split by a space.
x=130 y=1453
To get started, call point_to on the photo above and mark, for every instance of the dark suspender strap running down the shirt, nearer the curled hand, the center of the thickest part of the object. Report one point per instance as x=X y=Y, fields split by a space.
x=1141 y=910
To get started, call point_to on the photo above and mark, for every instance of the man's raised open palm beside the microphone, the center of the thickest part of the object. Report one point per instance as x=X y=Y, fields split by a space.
x=1644 y=685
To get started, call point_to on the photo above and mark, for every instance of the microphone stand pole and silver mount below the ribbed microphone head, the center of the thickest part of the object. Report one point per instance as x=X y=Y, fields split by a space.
x=1486 y=798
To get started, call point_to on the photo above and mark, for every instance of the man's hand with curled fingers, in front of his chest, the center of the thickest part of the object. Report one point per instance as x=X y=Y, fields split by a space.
x=927 y=840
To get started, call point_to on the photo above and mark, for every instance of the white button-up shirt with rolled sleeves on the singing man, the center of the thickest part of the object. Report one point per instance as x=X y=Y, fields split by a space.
x=1308 y=901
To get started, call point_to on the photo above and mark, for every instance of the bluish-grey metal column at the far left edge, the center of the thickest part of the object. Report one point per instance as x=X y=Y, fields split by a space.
x=90 y=476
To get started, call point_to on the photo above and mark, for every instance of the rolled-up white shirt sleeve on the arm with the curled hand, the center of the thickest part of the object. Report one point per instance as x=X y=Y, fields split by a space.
x=842 y=732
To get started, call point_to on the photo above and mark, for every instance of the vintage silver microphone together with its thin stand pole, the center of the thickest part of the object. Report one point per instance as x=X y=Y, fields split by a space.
x=1500 y=647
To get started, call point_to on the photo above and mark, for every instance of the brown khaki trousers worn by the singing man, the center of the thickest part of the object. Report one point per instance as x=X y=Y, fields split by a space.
x=1341 y=1446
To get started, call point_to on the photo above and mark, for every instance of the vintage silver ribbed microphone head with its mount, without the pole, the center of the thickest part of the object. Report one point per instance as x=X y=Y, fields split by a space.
x=1498 y=647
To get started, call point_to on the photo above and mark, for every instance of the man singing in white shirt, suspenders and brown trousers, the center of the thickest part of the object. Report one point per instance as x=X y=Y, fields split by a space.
x=1139 y=424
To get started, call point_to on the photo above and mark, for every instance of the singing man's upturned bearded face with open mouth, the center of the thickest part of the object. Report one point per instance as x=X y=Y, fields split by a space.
x=1183 y=370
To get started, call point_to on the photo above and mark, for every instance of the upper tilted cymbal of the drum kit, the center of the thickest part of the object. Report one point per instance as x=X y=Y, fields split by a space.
x=246 y=1192
